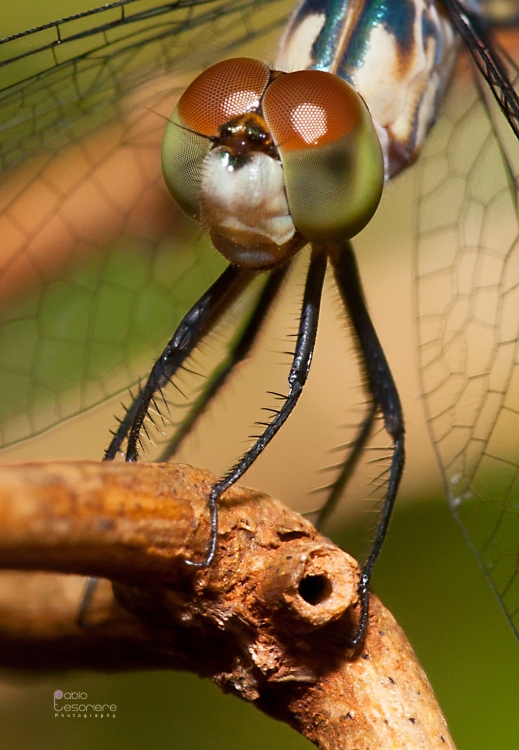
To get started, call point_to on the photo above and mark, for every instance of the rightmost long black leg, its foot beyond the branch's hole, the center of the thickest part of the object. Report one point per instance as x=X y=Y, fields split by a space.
x=382 y=386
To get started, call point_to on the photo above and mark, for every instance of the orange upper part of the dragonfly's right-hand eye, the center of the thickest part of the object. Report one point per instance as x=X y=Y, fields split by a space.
x=310 y=108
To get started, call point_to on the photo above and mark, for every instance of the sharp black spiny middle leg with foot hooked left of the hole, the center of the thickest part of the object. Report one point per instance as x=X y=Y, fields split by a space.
x=299 y=370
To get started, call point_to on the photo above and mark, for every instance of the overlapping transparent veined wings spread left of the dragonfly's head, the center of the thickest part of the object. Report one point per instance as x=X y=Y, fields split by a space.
x=96 y=265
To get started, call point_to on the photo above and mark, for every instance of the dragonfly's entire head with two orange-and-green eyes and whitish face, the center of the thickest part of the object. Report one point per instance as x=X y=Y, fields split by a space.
x=269 y=161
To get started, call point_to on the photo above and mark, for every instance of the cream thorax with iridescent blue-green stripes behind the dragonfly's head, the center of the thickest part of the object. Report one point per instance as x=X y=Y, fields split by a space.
x=398 y=54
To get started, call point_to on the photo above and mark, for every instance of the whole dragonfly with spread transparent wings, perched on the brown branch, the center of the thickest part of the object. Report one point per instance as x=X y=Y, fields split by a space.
x=63 y=81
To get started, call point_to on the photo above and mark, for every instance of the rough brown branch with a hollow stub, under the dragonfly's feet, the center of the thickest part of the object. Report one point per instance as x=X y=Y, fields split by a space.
x=269 y=621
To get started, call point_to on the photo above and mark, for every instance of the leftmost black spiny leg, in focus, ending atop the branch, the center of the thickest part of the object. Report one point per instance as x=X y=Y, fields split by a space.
x=191 y=330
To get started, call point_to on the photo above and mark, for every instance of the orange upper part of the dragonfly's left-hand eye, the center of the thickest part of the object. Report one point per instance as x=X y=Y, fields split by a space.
x=227 y=89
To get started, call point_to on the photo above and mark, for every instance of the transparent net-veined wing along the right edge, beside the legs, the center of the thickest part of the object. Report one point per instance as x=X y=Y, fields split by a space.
x=468 y=323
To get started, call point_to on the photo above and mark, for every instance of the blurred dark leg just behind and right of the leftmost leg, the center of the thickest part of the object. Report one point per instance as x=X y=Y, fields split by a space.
x=239 y=350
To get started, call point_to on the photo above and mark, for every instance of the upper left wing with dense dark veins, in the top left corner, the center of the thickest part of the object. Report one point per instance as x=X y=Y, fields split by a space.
x=59 y=81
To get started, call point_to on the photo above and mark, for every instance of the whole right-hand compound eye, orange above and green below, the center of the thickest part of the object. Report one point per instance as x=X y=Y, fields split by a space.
x=331 y=155
